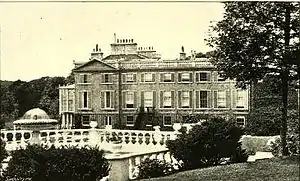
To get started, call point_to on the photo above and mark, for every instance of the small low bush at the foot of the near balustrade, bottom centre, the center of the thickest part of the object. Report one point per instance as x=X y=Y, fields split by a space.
x=150 y=168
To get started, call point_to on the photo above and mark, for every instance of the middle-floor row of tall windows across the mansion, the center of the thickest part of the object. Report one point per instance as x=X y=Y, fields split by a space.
x=204 y=99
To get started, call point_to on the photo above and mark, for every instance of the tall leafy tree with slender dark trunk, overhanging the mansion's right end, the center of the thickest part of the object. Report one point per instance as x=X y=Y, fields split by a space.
x=255 y=39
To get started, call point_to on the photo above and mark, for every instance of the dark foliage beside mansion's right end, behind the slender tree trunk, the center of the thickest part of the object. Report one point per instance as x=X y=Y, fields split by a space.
x=264 y=118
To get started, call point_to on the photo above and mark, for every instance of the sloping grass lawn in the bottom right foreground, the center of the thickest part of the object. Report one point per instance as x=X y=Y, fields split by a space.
x=273 y=169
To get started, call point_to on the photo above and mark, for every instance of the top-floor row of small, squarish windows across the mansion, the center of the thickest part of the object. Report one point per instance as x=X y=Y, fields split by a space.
x=186 y=77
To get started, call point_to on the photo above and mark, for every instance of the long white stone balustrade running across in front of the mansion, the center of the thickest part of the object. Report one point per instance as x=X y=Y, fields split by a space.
x=83 y=137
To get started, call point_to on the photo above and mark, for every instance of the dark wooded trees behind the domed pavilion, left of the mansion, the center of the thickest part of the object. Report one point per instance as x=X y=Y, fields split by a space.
x=19 y=96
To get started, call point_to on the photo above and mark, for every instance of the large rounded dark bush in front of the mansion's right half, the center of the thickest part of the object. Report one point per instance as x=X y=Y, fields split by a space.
x=208 y=144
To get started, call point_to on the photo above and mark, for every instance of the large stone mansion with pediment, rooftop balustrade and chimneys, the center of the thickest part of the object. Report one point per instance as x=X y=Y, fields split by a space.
x=114 y=89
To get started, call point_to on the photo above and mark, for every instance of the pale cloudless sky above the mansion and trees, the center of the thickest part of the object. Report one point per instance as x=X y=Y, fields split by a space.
x=43 y=39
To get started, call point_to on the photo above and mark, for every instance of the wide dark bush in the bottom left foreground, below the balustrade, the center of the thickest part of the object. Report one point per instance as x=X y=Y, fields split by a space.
x=66 y=163
